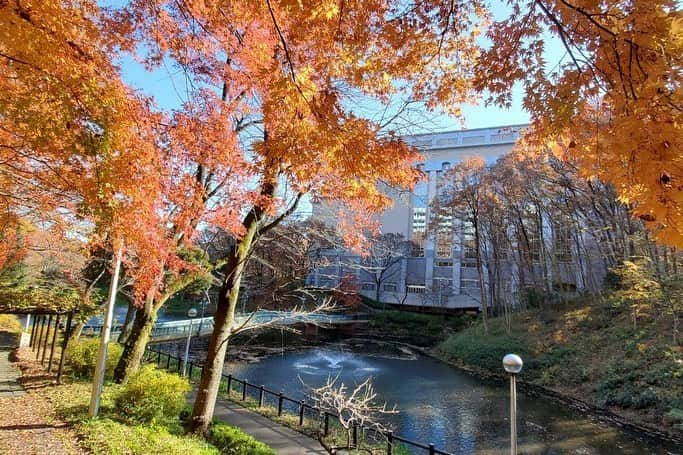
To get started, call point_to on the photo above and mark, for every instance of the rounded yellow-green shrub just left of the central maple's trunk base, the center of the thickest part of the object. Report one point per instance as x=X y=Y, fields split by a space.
x=152 y=396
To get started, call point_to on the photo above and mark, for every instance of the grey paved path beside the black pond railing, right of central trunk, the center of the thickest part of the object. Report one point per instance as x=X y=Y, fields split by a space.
x=283 y=440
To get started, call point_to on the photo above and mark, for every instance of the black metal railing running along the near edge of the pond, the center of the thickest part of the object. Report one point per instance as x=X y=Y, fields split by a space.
x=284 y=405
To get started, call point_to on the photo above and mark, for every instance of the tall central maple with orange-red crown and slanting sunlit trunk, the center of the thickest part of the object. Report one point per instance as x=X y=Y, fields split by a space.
x=288 y=70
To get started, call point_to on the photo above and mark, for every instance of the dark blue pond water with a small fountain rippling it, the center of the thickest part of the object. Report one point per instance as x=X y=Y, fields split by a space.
x=443 y=405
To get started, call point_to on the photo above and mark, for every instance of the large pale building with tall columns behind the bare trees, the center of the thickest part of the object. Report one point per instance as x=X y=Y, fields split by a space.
x=440 y=269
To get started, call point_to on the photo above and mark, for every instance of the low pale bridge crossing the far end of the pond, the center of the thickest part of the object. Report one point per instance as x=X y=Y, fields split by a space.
x=174 y=330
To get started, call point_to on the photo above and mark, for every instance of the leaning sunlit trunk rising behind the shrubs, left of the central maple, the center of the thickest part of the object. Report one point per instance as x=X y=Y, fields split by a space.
x=135 y=346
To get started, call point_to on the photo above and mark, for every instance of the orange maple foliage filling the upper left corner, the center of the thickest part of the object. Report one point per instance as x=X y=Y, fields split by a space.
x=77 y=146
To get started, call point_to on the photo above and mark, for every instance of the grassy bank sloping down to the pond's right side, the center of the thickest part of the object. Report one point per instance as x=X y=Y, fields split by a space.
x=591 y=353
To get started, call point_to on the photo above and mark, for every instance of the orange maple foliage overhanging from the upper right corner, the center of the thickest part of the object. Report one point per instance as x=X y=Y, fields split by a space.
x=614 y=103
